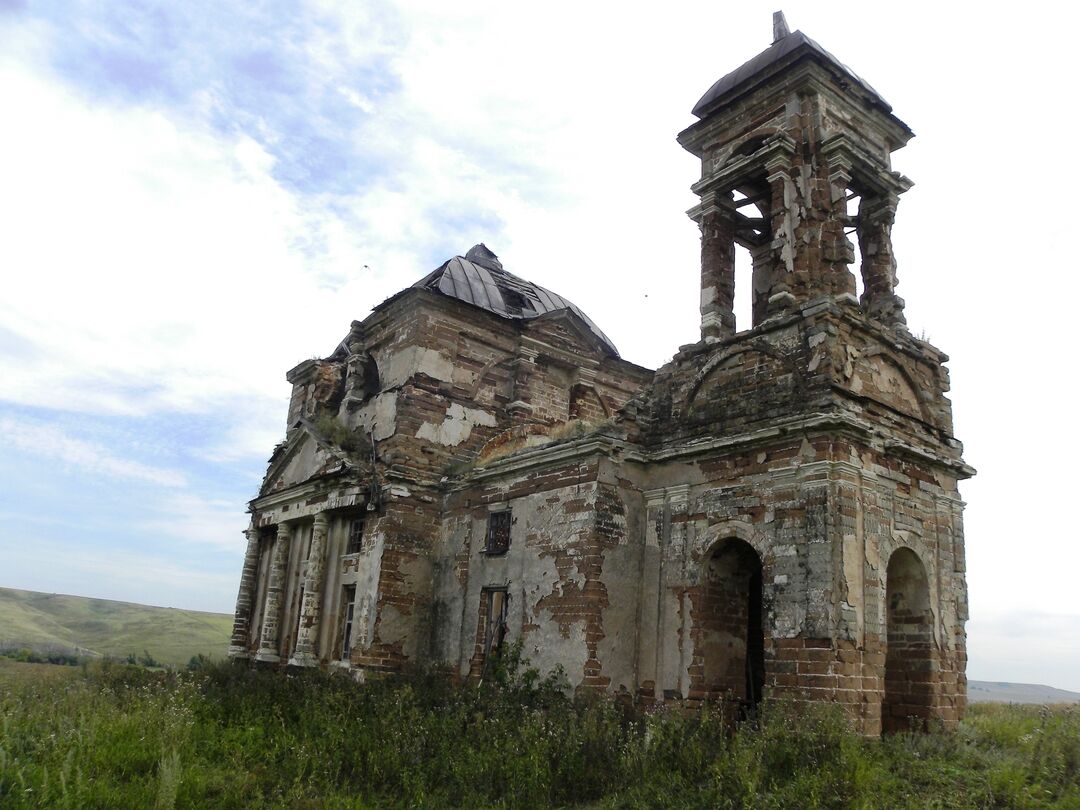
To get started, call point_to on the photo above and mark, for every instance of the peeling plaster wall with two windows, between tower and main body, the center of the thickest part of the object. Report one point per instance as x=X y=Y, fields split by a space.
x=572 y=573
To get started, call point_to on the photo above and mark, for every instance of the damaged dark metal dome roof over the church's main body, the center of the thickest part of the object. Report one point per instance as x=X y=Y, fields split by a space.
x=478 y=278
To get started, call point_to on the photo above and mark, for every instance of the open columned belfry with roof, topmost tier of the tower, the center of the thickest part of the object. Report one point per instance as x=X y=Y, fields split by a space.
x=790 y=145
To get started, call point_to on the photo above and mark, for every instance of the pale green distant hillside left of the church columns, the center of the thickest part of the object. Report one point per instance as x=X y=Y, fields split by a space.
x=106 y=628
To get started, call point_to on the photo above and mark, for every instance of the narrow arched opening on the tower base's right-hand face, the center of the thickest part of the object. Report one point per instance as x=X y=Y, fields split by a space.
x=910 y=656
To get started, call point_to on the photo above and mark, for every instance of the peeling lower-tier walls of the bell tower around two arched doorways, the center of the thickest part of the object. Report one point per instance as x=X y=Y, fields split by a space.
x=825 y=517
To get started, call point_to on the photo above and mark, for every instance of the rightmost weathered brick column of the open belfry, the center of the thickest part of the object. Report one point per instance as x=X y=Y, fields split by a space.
x=876 y=217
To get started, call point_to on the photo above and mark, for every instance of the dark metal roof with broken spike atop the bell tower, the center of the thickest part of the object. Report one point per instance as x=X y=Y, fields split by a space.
x=785 y=52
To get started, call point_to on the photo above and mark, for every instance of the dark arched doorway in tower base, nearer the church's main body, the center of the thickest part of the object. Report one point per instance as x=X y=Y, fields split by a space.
x=731 y=639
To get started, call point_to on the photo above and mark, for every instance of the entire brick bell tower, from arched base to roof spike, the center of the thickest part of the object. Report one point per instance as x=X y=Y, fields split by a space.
x=803 y=470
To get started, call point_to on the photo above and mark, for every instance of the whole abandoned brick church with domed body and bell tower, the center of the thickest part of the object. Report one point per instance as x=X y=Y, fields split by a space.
x=775 y=510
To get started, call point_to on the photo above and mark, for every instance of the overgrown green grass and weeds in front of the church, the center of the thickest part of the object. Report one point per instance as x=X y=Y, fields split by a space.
x=227 y=737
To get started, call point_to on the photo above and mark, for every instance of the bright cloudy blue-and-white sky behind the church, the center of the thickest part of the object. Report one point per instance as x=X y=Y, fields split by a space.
x=196 y=197
